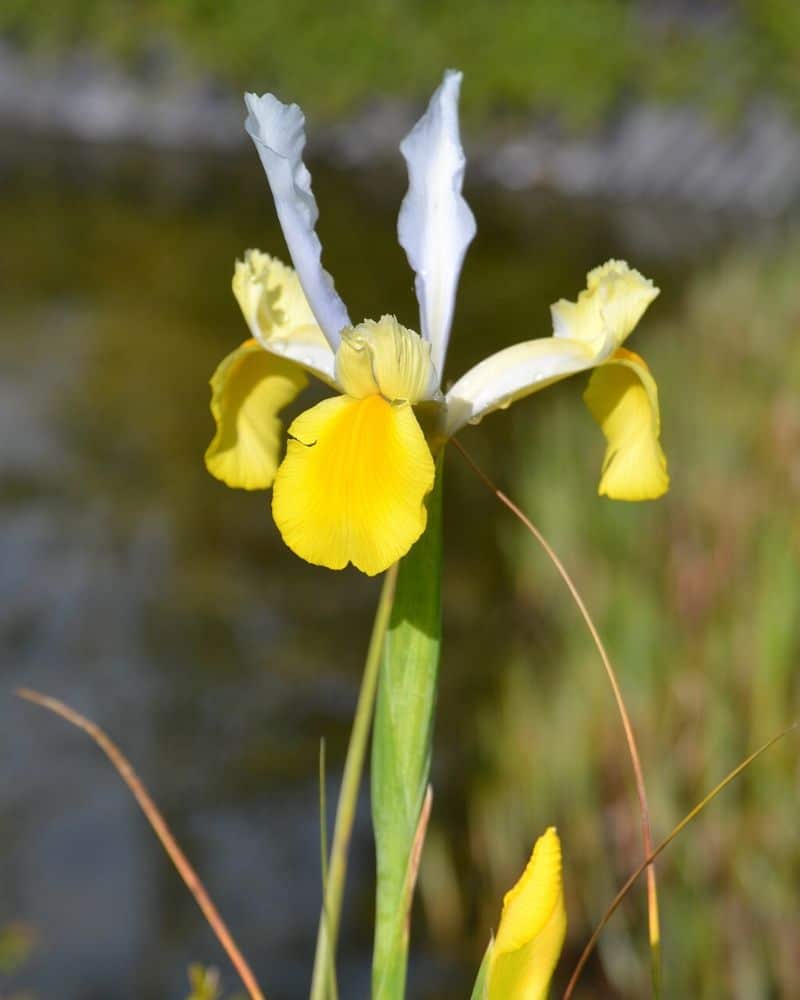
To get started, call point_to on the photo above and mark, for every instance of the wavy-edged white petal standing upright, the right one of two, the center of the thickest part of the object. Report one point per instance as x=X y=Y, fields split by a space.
x=436 y=224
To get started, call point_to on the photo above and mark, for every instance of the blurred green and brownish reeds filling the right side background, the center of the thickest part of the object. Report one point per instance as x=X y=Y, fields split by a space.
x=698 y=598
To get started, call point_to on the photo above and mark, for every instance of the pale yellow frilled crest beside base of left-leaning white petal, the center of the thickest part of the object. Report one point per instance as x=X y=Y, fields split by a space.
x=271 y=298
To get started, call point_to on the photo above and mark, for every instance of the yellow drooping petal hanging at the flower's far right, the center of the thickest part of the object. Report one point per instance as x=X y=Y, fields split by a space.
x=623 y=399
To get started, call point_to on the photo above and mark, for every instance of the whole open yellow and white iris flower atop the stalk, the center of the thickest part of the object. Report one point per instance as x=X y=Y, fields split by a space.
x=358 y=466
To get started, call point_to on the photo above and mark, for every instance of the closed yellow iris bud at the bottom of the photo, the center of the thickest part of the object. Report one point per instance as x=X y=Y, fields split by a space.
x=532 y=928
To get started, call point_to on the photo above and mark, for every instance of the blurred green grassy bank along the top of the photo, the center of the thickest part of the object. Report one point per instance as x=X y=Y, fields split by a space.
x=576 y=61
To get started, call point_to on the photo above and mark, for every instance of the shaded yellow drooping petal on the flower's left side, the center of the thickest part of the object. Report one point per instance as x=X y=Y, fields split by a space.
x=248 y=390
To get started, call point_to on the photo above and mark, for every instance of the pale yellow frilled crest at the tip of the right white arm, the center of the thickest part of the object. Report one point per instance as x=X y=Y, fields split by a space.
x=614 y=300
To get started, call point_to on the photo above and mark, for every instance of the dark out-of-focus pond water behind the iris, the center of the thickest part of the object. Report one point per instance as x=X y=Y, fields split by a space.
x=164 y=606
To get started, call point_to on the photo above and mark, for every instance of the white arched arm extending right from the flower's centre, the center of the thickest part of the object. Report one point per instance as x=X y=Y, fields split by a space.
x=517 y=371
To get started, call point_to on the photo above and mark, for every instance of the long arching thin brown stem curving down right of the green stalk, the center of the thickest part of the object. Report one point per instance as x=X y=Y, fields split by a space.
x=630 y=739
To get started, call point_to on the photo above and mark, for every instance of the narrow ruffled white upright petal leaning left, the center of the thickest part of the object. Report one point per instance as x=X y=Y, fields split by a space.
x=278 y=131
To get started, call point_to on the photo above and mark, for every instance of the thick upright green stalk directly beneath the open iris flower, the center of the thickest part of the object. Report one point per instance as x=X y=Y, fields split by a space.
x=401 y=744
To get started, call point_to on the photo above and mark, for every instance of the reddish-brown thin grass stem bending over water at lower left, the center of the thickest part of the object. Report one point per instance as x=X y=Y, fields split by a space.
x=162 y=831
